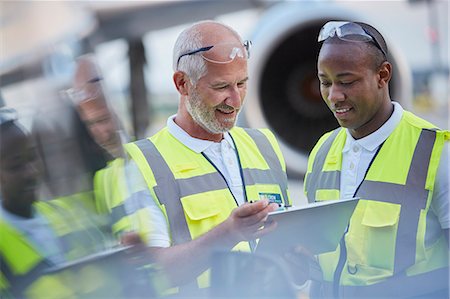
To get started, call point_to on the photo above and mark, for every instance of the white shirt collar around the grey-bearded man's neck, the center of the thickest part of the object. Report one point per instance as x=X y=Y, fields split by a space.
x=195 y=144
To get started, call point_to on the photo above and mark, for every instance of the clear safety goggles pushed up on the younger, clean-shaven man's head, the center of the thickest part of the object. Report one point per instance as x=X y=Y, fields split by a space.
x=348 y=31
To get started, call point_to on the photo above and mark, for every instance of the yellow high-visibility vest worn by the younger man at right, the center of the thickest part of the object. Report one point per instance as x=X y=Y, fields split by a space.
x=385 y=251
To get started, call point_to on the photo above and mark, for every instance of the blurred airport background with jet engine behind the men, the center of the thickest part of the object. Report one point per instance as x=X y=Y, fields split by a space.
x=132 y=42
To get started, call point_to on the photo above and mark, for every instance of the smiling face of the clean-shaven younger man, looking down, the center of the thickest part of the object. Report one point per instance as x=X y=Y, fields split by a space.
x=354 y=88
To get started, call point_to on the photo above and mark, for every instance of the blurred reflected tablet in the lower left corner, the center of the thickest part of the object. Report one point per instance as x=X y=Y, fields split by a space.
x=113 y=273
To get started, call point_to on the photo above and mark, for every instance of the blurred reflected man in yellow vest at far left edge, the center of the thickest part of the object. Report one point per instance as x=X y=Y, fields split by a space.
x=38 y=238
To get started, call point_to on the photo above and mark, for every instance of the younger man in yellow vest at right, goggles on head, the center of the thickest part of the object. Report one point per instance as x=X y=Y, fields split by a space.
x=397 y=163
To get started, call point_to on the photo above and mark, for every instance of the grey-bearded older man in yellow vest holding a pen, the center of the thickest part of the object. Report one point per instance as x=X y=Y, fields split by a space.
x=206 y=175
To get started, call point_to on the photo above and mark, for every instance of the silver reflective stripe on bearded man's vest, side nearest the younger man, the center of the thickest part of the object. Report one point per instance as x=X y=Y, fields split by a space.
x=275 y=173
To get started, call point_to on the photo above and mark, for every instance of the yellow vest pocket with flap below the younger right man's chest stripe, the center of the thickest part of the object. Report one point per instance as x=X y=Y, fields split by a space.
x=372 y=235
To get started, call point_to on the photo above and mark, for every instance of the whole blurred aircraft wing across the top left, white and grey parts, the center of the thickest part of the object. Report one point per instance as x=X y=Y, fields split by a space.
x=32 y=34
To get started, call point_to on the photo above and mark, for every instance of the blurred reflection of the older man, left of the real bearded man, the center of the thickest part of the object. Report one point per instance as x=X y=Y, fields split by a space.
x=115 y=191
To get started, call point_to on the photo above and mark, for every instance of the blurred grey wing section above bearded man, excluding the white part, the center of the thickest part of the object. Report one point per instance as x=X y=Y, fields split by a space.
x=134 y=19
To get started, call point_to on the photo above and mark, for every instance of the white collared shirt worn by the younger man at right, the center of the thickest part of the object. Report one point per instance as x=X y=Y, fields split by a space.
x=357 y=155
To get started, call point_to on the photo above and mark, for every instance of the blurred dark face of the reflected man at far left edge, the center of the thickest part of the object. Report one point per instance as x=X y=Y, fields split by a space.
x=18 y=171
